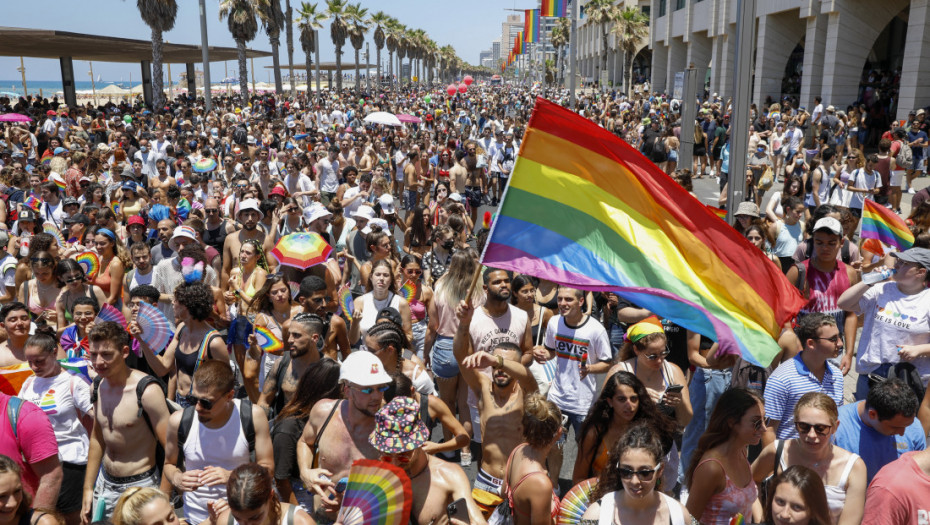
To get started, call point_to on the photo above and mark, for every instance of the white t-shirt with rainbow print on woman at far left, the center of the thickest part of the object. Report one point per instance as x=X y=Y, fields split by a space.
x=63 y=398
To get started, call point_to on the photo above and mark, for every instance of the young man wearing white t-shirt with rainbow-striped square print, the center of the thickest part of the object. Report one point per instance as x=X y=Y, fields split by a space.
x=582 y=349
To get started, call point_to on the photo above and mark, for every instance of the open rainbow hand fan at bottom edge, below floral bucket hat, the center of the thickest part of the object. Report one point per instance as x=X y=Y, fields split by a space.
x=377 y=493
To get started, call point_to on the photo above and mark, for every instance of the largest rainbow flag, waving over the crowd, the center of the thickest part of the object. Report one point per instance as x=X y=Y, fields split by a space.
x=585 y=209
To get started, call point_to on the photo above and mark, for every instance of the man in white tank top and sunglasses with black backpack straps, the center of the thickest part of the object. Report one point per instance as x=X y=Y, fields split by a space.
x=214 y=437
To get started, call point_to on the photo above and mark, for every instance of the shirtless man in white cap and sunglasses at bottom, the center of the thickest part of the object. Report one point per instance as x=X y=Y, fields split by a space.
x=337 y=432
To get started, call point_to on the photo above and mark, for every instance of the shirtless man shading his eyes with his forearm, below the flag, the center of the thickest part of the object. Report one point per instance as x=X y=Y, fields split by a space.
x=500 y=400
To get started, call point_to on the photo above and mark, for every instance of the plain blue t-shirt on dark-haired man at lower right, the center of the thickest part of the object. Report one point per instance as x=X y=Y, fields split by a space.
x=875 y=448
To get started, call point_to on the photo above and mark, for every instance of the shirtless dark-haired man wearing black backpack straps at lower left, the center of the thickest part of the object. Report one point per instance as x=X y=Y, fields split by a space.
x=121 y=440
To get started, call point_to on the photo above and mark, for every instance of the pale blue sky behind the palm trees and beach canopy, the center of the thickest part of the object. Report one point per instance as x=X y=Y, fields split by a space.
x=468 y=25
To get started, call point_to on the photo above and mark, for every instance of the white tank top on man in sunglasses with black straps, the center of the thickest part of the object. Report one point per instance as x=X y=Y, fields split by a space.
x=226 y=447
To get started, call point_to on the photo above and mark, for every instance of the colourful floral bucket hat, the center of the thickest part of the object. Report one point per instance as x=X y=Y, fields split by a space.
x=398 y=427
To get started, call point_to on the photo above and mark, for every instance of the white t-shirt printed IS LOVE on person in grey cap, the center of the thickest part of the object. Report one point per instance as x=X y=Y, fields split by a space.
x=890 y=319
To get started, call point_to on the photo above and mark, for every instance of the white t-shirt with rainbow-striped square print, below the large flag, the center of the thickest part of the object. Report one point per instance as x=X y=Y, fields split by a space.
x=569 y=391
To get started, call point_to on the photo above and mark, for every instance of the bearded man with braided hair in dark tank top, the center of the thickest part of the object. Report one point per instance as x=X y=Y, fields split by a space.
x=304 y=332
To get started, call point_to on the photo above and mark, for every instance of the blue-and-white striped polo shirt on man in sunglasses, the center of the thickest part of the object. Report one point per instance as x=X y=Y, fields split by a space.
x=788 y=383
